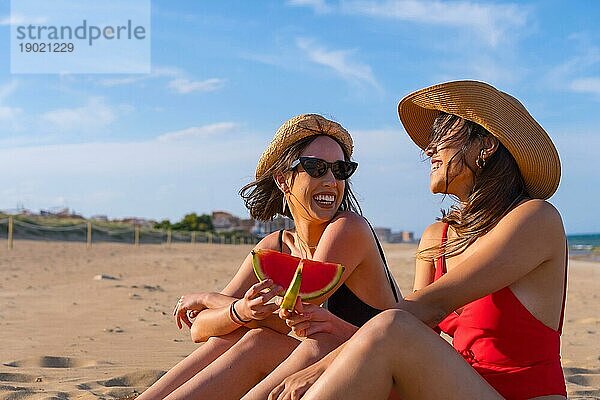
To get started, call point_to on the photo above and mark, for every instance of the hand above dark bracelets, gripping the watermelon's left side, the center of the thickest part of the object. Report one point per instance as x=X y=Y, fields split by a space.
x=254 y=304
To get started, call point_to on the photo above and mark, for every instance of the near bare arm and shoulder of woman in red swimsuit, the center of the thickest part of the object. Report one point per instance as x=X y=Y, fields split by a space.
x=527 y=237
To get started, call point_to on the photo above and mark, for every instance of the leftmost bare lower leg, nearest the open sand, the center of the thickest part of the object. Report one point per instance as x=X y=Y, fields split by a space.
x=191 y=365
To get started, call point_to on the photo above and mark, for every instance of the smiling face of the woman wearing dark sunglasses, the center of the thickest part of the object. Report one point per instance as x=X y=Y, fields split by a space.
x=317 y=199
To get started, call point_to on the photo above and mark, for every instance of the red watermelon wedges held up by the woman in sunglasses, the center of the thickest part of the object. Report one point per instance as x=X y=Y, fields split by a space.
x=318 y=277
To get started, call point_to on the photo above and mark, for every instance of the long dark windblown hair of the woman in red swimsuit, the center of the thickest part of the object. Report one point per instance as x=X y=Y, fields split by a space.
x=498 y=187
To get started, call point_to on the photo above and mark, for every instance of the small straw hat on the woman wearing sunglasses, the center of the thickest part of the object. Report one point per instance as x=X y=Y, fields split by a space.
x=297 y=128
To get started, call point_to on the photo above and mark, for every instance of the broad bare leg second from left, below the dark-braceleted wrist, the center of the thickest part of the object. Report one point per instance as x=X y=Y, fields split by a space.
x=239 y=368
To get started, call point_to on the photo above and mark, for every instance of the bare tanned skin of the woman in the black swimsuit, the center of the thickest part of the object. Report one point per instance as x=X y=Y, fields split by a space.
x=260 y=354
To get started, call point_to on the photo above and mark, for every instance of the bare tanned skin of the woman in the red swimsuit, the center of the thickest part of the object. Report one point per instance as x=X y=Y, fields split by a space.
x=524 y=251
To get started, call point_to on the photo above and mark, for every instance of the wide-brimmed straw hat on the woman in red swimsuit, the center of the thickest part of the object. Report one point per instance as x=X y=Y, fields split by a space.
x=498 y=112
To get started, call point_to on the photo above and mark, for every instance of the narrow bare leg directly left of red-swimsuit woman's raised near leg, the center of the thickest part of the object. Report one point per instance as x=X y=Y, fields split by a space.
x=308 y=352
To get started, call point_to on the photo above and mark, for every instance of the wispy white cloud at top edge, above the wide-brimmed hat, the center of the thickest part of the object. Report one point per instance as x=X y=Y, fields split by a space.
x=491 y=21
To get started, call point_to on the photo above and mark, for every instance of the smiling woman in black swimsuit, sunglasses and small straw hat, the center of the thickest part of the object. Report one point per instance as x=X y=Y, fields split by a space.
x=302 y=174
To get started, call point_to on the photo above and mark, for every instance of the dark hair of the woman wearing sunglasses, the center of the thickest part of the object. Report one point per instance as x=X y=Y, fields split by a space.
x=264 y=199
